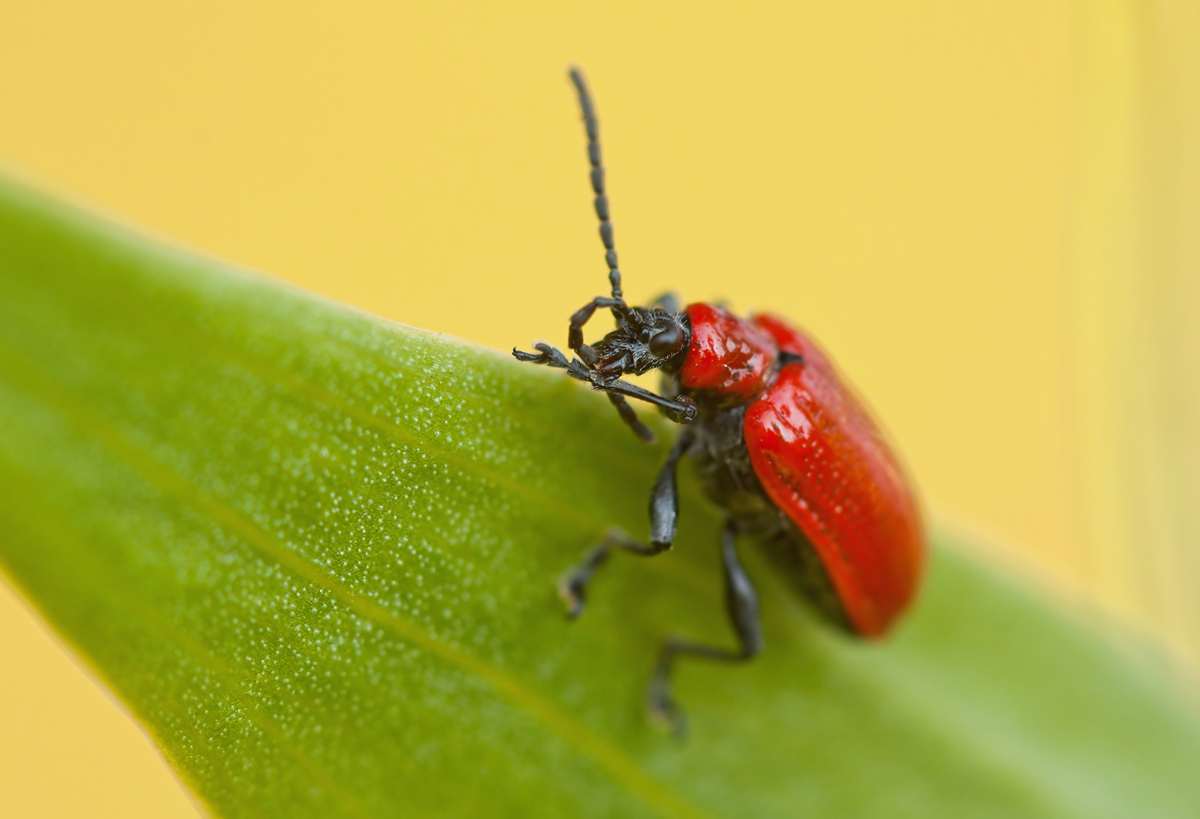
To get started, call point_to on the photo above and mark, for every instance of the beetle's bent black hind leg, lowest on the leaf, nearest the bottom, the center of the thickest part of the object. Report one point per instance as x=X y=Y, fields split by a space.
x=742 y=602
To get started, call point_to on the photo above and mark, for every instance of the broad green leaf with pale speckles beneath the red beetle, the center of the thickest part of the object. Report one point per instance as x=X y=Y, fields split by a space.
x=315 y=554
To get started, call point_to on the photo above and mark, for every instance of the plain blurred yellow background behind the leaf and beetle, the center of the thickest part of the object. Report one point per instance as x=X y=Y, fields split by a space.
x=989 y=213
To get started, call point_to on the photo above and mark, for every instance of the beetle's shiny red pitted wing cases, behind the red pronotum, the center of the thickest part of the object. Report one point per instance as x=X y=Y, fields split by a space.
x=825 y=464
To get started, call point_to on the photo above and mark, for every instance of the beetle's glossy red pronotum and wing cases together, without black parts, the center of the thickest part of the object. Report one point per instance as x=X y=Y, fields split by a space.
x=819 y=457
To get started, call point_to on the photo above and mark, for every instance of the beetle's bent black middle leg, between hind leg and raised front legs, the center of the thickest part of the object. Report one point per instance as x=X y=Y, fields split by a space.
x=664 y=521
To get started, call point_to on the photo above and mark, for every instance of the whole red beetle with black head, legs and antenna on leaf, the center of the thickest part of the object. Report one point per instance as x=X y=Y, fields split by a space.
x=778 y=441
